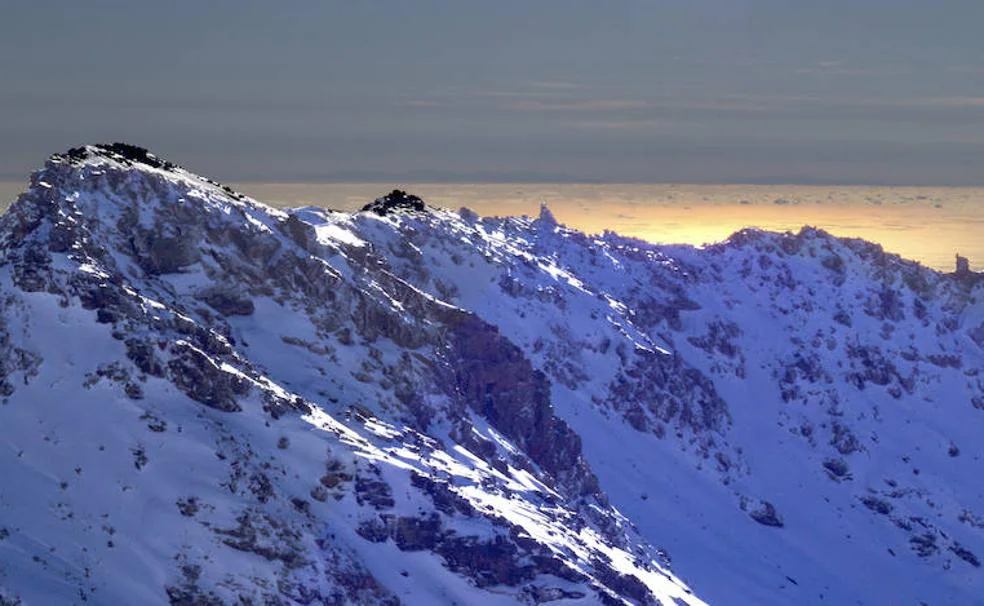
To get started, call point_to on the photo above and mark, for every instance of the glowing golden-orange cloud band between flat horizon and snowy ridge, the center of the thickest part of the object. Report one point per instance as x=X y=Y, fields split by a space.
x=928 y=225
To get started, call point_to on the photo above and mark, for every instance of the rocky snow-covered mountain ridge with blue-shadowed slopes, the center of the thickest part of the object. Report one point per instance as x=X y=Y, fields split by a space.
x=209 y=401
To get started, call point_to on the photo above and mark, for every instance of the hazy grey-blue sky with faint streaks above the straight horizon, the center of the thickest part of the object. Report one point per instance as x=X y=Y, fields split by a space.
x=847 y=91
